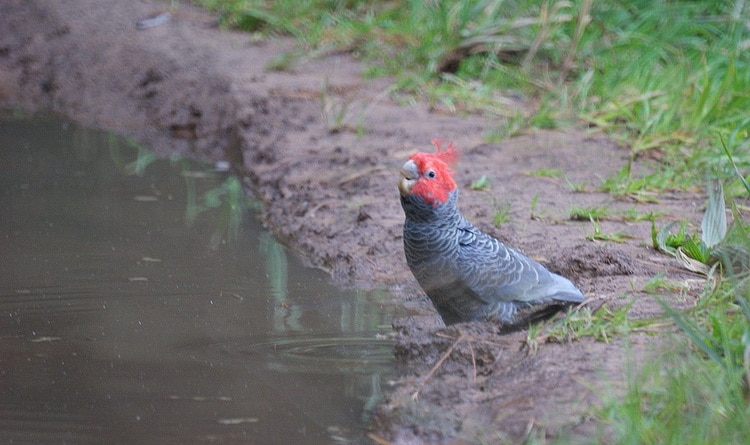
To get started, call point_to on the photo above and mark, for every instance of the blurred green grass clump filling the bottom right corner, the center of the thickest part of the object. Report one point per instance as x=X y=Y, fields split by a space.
x=698 y=390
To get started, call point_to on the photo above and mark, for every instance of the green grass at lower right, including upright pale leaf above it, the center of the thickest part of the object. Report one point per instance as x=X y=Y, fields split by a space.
x=698 y=390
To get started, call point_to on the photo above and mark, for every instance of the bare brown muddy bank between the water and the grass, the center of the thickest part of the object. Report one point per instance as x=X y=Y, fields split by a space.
x=326 y=172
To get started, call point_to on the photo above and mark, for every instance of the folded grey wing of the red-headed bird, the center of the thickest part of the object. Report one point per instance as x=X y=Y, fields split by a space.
x=501 y=274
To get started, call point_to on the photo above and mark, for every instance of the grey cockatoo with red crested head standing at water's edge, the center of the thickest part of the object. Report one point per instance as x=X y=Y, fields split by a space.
x=467 y=274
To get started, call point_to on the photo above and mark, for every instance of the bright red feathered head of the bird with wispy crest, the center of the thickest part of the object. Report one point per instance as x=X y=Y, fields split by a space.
x=429 y=175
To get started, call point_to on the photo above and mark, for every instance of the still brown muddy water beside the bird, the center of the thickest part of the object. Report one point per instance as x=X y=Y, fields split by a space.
x=140 y=302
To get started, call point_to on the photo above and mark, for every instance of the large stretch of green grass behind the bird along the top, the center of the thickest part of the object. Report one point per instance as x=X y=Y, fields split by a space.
x=666 y=76
